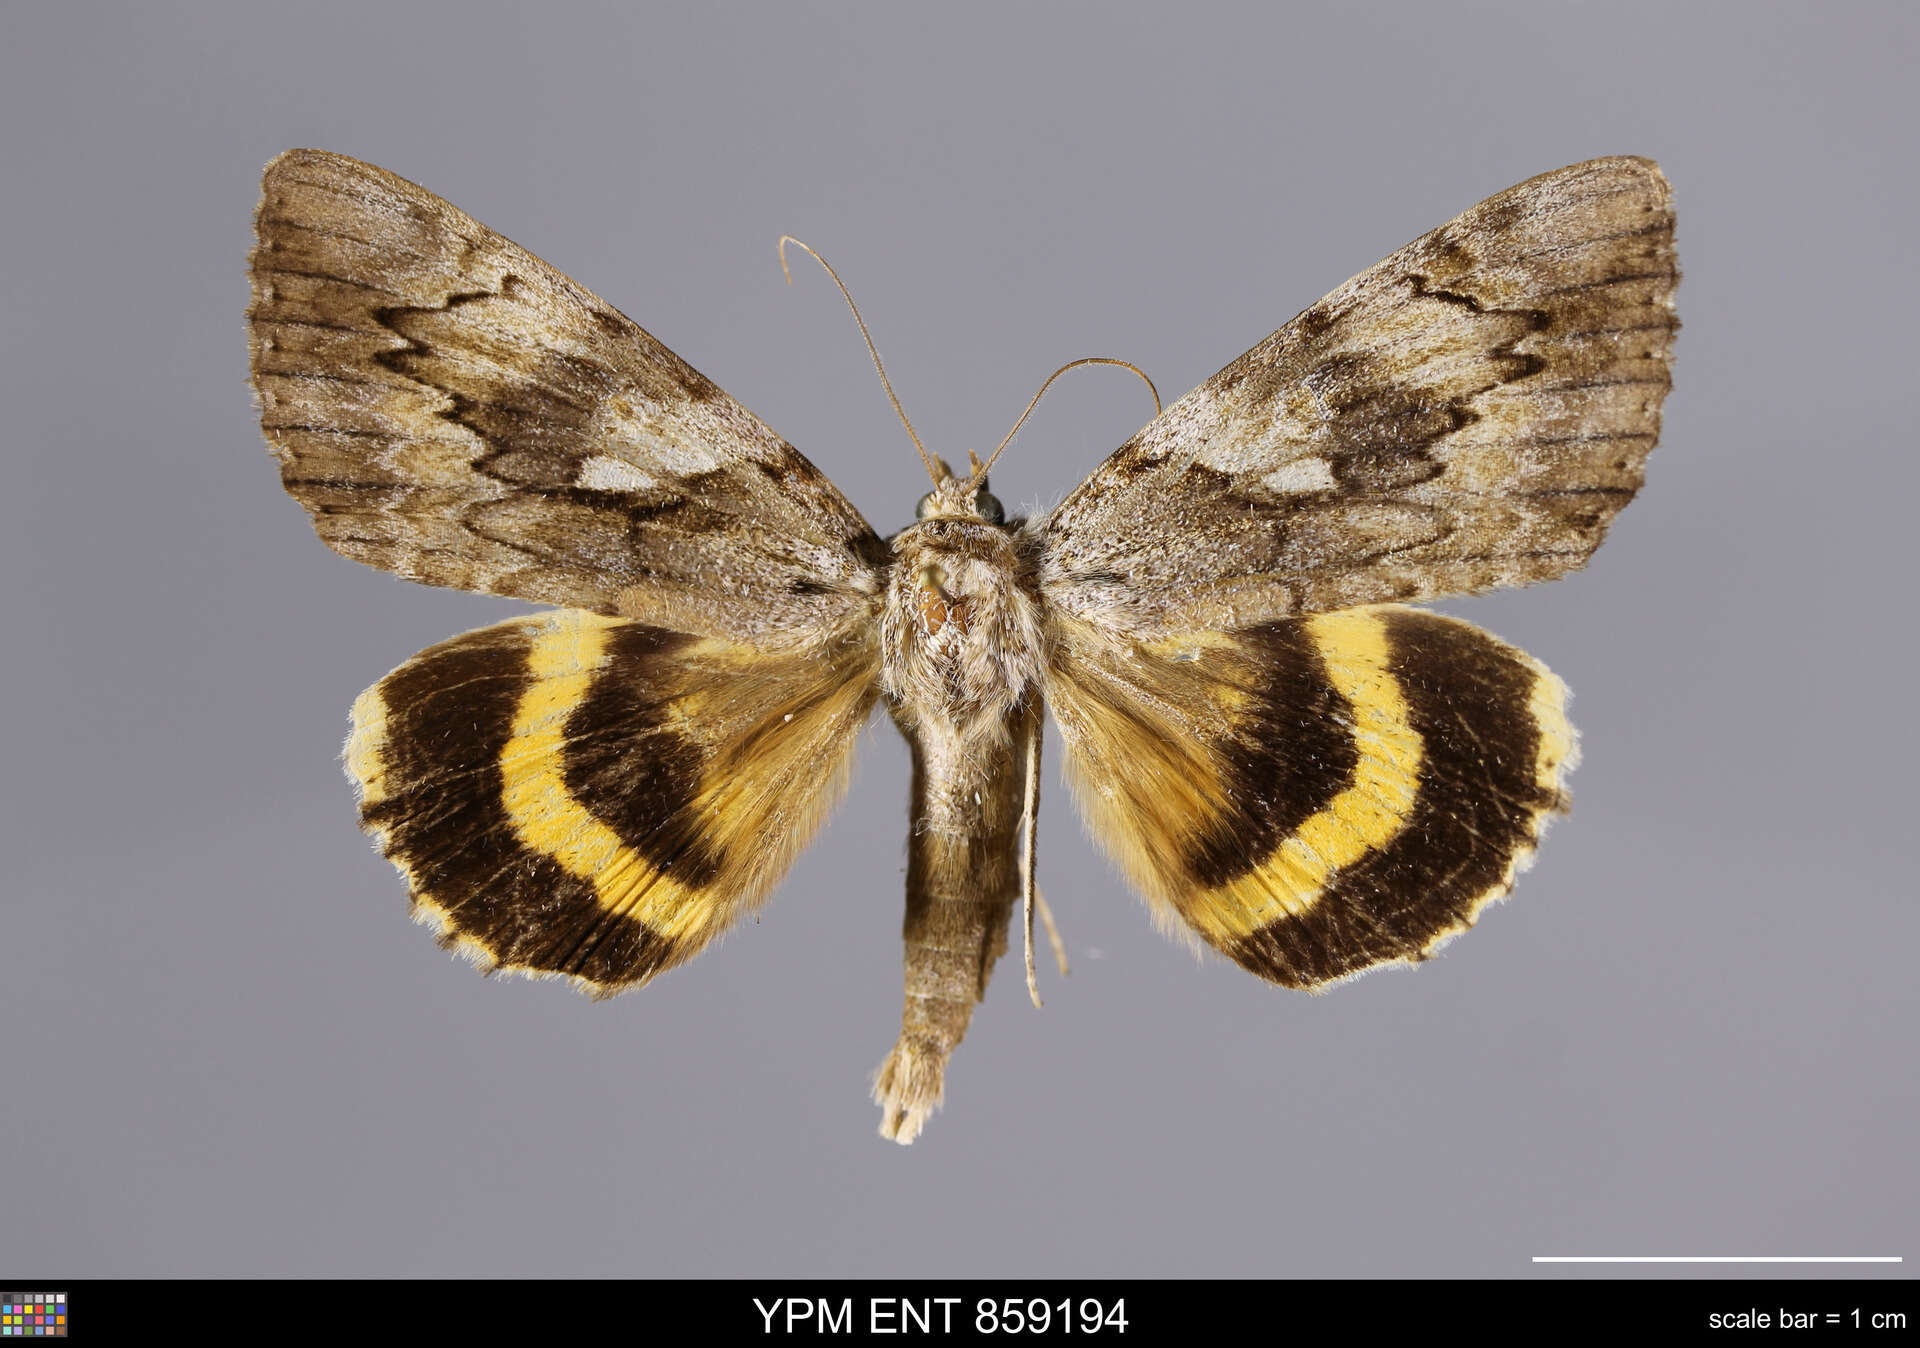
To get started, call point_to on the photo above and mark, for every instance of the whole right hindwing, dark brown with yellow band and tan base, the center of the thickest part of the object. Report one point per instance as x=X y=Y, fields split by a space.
x=1318 y=796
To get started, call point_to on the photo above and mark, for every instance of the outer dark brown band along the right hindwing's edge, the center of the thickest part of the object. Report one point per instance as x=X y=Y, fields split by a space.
x=1476 y=815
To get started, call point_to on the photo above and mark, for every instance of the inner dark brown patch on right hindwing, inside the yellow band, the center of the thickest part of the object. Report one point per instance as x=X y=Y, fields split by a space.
x=1289 y=756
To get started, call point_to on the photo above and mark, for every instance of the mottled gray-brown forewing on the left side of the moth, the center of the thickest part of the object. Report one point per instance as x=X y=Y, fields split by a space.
x=452 y=410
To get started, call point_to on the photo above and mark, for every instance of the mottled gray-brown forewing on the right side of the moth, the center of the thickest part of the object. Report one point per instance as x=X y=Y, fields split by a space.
x=1466 y=416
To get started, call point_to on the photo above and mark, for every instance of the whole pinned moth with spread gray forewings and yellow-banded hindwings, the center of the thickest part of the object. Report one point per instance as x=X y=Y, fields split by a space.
x=1289 y=763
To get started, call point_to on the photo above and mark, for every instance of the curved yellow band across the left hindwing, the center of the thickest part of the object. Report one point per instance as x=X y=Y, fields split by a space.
x=548 y=817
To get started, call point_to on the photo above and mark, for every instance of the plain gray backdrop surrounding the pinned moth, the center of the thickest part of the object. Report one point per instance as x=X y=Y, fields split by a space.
x=229 y=1053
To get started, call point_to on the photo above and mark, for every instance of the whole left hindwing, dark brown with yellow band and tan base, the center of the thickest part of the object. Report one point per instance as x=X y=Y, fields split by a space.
x=583 y=796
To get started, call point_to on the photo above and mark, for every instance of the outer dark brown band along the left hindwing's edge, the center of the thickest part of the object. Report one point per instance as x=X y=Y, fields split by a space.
x=427 y=750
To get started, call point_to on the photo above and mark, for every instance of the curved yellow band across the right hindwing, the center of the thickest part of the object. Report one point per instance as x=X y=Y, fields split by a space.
x=1364 y=817
